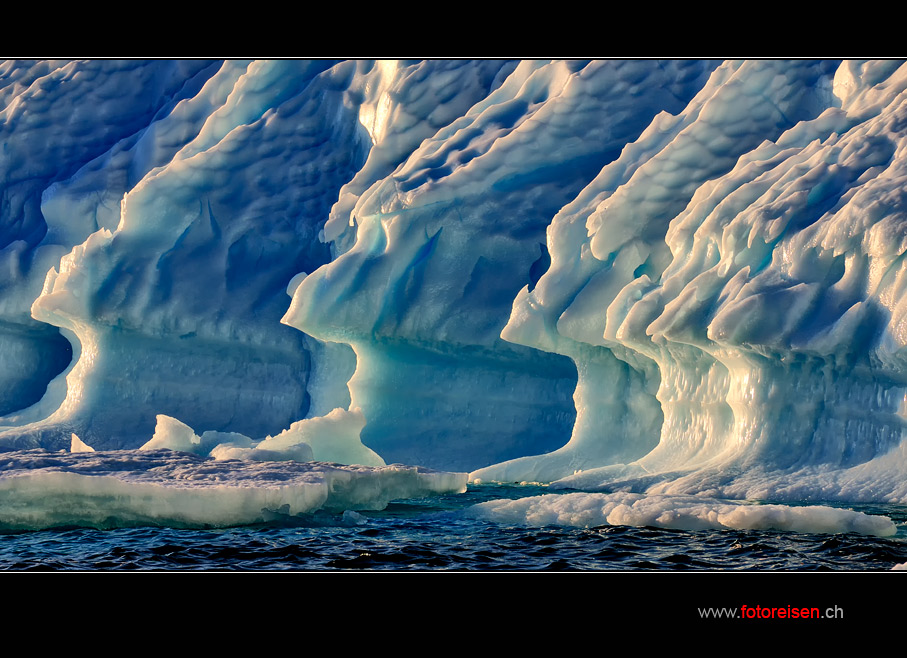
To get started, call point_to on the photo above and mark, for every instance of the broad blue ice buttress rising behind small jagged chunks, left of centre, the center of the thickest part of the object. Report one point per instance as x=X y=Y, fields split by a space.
x=182 y=241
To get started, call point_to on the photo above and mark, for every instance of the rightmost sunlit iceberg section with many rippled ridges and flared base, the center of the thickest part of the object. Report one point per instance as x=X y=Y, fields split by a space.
x=761 y=291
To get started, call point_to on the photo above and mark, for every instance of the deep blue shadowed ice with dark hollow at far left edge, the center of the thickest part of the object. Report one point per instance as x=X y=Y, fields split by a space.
x=56 y=115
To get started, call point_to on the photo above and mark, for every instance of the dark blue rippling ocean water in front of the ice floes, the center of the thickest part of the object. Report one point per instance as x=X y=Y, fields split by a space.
x=432 y=534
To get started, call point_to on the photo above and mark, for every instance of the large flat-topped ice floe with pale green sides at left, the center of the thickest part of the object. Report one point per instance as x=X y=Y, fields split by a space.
x=39 y=489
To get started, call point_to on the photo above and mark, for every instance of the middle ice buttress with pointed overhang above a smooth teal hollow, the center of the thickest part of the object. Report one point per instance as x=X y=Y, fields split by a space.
x=445 y=241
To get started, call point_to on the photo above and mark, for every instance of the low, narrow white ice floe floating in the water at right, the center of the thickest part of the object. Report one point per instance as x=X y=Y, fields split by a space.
x=586 y=510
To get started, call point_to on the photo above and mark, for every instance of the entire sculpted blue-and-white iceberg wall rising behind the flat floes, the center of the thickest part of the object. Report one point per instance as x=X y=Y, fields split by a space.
x=667 y=277
